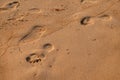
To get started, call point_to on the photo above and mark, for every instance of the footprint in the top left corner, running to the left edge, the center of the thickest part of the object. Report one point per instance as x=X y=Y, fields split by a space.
x=9 y=6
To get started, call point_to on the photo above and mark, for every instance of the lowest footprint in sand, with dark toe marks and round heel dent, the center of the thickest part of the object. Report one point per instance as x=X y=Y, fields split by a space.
x=37 y=57
